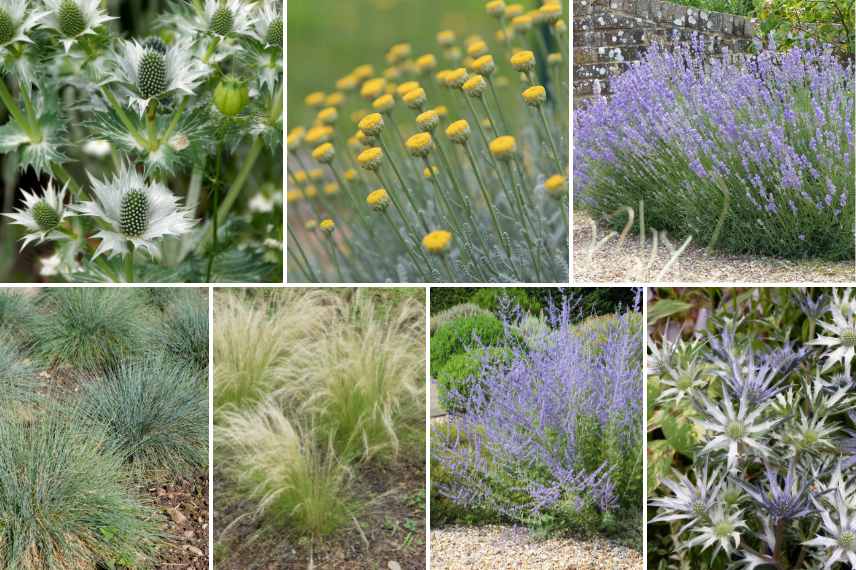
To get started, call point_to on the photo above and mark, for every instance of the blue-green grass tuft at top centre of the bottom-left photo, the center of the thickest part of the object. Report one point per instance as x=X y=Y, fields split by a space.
x=91 y=328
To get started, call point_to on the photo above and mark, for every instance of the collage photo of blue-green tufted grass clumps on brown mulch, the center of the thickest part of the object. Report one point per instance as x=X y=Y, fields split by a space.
x=103 y=428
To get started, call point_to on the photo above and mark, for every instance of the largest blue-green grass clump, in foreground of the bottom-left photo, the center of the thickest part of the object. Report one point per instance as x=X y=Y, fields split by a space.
x=64 y=502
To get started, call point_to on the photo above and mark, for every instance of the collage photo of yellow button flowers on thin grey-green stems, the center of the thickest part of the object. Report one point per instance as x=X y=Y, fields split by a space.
x=428 y=142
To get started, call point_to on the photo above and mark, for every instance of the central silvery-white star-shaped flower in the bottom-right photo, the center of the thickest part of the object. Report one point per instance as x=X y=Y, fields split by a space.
x=734 y=428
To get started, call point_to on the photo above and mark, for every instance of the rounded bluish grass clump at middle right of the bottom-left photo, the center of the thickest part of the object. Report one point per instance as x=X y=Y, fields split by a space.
x=154 y=412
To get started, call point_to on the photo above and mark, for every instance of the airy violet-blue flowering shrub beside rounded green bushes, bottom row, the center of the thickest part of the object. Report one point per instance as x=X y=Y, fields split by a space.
x=551 y=439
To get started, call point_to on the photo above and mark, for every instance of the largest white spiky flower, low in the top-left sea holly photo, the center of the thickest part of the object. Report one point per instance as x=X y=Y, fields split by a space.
x=136 y=211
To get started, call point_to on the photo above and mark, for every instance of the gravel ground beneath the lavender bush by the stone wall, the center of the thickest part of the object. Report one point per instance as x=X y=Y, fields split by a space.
x=614 y=262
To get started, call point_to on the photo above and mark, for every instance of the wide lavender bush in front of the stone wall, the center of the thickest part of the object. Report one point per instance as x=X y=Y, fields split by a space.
x=748 y=154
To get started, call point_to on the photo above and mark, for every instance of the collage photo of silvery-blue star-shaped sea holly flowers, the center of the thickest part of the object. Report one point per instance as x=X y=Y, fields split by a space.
x=751 y=428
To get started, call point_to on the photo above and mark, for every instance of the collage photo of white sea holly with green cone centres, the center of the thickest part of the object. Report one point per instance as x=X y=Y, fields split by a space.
x=141 y=141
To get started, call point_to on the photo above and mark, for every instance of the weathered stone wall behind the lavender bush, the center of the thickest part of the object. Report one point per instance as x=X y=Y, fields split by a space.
x=609 y=35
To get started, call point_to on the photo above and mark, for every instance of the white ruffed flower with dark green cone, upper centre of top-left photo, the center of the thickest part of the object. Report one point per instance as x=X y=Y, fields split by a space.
x=152 y=69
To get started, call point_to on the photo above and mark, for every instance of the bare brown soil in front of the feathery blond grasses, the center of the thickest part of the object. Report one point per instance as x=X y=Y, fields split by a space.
x=387 y=498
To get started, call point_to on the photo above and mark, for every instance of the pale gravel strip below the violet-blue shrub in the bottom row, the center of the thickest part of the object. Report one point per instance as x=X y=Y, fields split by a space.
x=511 y=548
